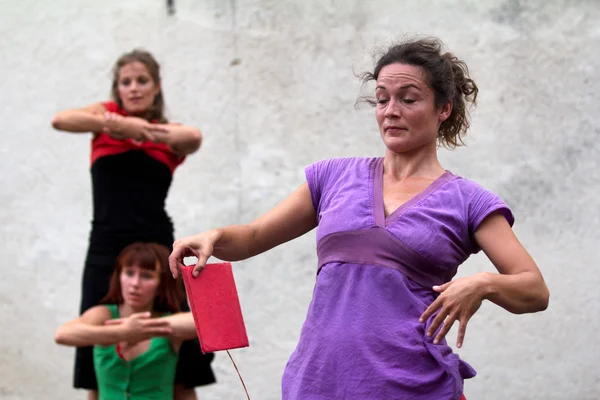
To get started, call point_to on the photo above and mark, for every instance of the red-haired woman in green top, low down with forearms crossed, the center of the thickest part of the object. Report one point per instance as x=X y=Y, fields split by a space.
x=135 y=353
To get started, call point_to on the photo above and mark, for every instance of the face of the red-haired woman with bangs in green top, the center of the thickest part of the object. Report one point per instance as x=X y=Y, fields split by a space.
x=139 y=286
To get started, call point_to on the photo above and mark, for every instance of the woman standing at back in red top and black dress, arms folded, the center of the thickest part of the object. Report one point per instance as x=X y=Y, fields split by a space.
x=135 y=151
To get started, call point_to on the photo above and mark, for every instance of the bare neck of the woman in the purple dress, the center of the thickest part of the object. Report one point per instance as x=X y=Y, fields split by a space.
x=419 y=163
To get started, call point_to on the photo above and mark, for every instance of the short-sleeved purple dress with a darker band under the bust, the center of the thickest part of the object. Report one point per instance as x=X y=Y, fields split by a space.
x=362 y=338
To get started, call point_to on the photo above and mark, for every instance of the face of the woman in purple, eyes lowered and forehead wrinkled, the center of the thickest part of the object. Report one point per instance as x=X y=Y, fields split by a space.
x=406 y=113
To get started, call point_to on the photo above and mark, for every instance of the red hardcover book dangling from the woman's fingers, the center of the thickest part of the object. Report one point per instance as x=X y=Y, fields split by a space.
x=216 y=307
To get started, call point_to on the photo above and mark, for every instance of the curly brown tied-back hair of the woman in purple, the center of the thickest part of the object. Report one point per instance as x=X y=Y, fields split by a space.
x=446 y=75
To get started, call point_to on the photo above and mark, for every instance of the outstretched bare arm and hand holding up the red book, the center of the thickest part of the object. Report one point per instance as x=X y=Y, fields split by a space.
x=291 y=218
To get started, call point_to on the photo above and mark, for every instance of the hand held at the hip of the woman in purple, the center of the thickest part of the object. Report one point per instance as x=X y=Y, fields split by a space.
x=458 y=301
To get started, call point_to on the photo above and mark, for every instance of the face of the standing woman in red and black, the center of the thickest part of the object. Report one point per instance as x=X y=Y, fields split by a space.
x=136 y=88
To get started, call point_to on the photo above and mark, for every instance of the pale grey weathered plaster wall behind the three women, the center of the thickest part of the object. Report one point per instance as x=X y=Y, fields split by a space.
x=272 y=86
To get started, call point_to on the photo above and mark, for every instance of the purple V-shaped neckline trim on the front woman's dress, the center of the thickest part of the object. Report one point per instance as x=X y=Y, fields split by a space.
x=379 y=209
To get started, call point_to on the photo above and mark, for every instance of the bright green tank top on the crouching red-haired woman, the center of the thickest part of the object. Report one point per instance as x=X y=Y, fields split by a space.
x=149 y=376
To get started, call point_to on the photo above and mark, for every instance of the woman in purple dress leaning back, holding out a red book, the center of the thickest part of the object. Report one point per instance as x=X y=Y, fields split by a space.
x=391 y=233
